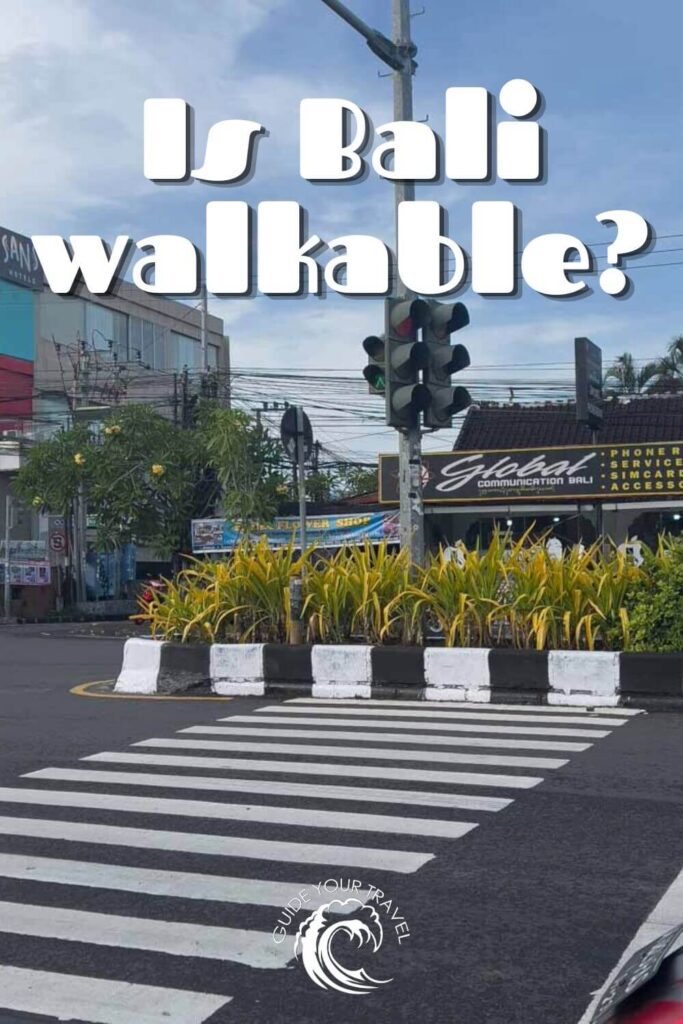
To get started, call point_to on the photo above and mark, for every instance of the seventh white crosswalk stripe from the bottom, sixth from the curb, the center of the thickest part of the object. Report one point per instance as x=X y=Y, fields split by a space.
x=308 y=769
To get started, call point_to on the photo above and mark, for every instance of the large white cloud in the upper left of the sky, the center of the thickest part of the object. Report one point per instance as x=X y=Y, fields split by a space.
x=74 y=80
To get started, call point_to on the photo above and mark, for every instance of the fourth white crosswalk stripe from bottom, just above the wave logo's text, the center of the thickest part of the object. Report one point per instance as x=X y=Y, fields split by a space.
x=217 y=846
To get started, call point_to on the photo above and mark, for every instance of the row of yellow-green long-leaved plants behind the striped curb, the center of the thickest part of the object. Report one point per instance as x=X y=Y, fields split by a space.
x=513 y=593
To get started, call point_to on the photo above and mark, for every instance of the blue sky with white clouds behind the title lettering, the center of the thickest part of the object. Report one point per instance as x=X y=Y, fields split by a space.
x=74 y=77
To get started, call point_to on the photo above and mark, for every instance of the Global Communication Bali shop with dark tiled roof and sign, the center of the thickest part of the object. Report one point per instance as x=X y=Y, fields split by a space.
x=518 y=468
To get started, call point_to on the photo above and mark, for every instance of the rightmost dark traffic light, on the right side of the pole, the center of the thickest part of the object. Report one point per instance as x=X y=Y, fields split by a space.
x=445 y=360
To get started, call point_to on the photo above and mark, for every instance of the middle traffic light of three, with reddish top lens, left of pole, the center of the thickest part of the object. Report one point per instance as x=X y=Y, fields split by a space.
x=406 y=357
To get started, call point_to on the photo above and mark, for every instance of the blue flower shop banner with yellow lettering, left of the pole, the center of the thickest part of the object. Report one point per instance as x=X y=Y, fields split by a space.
x=323 y=532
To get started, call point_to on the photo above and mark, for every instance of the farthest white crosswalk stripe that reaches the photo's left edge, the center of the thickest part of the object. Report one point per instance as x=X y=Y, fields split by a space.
x=240 y=813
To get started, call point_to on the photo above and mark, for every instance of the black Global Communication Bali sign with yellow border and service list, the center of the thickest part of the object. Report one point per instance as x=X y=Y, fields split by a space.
x=583 y=472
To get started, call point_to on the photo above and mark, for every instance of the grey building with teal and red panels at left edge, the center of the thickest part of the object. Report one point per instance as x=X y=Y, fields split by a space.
x=62 y=354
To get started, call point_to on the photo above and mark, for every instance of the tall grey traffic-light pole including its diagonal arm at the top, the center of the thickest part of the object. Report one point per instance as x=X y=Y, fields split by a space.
x=399 y=54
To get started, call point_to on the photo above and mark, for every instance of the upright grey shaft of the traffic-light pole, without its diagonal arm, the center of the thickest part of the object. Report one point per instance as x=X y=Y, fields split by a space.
x=412 y=524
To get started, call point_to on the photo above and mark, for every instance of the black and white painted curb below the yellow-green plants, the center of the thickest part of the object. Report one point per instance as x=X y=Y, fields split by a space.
x=480 y=675
